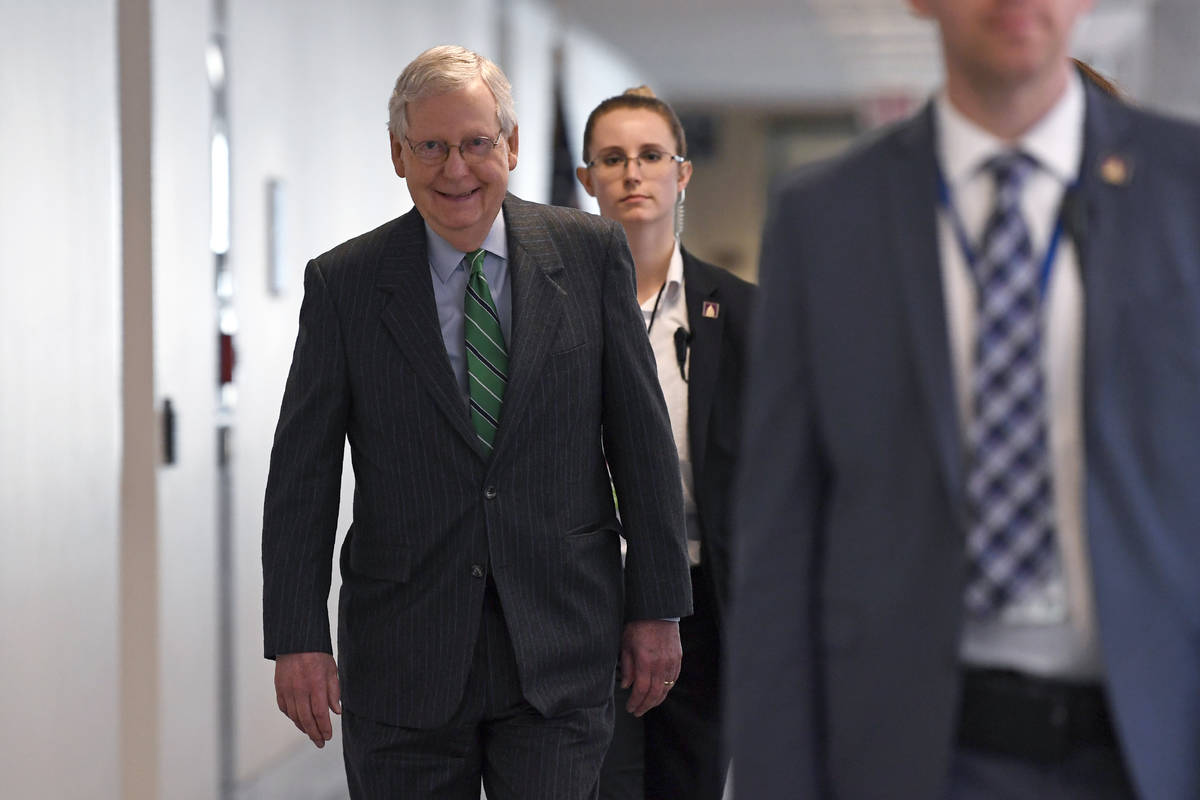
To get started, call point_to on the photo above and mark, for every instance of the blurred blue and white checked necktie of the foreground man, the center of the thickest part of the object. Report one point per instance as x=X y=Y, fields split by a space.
x=1011 y=543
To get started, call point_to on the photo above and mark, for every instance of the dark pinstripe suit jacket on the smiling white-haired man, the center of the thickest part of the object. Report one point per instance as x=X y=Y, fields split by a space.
x=433 y=515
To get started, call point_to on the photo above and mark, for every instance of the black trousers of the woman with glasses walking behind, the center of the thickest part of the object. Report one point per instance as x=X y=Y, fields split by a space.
x=675 y=751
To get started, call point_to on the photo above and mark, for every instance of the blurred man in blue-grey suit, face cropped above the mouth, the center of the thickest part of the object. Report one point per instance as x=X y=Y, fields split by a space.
x=969 y=513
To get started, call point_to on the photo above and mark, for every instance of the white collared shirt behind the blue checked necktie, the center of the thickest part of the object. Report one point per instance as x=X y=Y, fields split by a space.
x=1052 y=631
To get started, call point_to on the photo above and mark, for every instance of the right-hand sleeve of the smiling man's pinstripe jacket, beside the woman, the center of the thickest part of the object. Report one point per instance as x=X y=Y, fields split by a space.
x=641 y=453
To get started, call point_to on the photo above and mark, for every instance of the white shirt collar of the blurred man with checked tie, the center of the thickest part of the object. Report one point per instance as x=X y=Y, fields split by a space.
x=1055 y=142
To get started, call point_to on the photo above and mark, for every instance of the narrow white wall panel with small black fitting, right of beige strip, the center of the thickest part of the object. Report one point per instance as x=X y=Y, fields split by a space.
x=185 y=372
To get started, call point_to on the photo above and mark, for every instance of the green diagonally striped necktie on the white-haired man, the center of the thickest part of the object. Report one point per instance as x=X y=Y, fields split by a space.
x=488 y=359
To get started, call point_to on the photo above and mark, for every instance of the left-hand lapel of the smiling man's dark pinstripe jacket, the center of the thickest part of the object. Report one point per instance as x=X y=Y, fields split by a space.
x=411 y=317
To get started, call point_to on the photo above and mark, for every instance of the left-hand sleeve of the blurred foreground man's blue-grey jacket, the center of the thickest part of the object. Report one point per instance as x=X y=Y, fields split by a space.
x=773 y=678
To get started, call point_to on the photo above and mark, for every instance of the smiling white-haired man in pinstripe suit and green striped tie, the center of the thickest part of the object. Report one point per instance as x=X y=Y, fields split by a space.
x=488 y=364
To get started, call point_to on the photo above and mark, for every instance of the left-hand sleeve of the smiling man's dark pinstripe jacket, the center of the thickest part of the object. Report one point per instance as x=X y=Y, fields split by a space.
x=304 y=484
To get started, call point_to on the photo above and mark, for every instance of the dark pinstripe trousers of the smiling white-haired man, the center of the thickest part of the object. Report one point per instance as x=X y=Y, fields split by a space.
x=495 y=738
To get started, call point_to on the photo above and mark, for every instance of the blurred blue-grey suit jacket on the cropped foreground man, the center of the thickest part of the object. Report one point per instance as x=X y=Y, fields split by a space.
x=850 y=564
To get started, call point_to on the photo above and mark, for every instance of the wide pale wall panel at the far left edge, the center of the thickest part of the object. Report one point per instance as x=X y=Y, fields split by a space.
x=59 y=400
